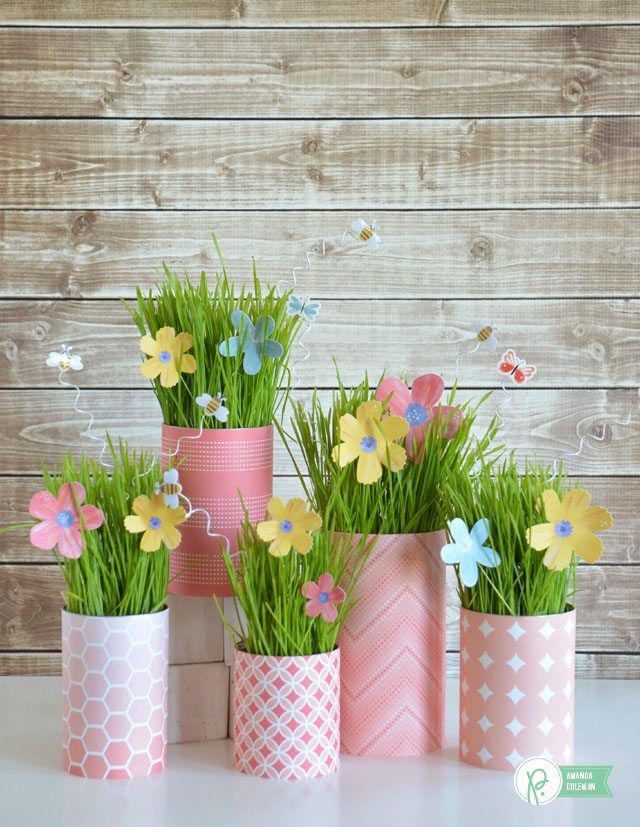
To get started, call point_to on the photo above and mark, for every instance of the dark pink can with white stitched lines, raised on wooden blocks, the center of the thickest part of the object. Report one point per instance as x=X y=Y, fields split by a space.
x=215 y=467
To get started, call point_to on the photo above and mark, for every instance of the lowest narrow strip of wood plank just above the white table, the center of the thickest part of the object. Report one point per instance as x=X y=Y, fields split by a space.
x=589 y=665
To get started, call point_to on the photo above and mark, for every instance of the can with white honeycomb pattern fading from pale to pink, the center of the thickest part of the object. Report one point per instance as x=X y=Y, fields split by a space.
x=114 y=694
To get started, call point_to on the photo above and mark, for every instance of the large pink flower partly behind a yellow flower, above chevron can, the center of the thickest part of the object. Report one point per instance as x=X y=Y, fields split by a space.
x=419 y=408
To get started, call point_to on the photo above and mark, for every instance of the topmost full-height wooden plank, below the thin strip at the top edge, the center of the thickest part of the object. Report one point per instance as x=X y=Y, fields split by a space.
x=332 y=73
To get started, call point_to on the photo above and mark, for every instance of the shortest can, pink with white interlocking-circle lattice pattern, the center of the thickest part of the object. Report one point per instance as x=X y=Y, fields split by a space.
x=286 y=721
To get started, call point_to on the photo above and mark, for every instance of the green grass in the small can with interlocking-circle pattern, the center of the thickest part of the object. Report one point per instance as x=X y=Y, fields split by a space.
x=267 y=589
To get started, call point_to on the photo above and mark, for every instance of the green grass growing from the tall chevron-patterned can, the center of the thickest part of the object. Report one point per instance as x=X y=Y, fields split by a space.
x=403 y=502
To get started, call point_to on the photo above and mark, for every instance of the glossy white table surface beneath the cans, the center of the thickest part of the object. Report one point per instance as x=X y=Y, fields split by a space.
x=200 y=787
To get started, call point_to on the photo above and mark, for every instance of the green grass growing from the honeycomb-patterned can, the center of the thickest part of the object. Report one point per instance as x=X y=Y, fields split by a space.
x=113 y=576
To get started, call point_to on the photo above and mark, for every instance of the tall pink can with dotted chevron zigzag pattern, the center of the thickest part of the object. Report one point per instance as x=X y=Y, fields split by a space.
x=393 y=650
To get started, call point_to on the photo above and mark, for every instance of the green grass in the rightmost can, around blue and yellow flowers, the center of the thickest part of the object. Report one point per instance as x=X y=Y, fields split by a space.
x=521 y=585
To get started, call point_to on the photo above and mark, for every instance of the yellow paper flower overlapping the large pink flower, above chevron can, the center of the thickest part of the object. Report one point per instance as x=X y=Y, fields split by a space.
x=369 y=438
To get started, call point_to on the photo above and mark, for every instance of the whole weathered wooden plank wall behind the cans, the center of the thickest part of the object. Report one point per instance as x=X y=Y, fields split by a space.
x=496 y=143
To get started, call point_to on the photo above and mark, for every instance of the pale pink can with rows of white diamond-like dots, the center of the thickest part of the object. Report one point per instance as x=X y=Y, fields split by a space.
x=516 y=688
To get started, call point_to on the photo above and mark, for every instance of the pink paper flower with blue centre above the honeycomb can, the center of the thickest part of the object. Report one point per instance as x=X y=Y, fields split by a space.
x=61 y=524
